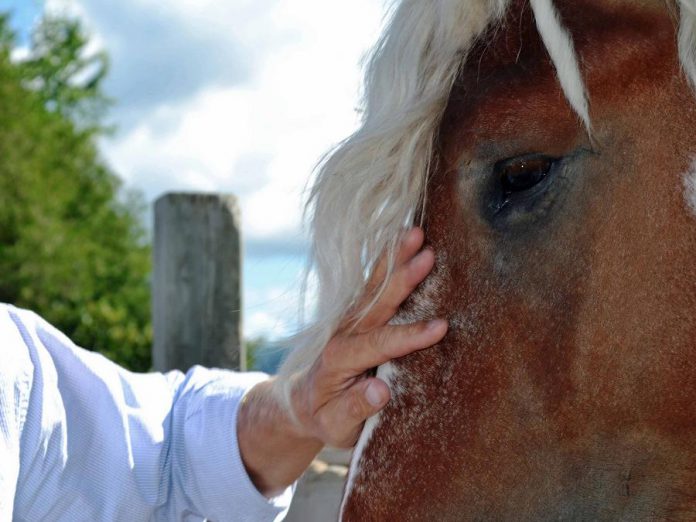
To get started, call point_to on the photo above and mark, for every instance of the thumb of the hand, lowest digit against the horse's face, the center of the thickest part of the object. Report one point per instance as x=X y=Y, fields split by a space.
x=343 y=421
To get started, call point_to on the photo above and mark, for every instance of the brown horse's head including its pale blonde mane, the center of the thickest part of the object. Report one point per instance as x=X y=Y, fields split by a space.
x=547 y=147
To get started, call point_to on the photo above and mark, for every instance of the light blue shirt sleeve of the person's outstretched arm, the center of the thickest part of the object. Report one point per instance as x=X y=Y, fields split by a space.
x=100 y=443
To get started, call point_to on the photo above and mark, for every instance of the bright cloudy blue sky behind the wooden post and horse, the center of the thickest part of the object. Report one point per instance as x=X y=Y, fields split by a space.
x=230 y=96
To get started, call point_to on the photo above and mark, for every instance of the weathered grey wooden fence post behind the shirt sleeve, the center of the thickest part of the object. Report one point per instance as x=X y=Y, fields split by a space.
x=196 y=303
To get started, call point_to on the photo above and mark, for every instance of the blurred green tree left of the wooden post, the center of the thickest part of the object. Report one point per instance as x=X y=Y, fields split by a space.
x=72 y=244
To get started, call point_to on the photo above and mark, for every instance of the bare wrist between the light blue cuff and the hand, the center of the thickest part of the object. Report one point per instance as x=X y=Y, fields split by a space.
x=274 y=451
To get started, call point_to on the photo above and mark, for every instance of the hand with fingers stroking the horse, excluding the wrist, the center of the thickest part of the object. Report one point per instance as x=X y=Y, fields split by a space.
x=335 y=396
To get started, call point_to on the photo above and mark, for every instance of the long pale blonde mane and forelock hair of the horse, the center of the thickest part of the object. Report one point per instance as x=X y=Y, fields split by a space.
x=373 y=184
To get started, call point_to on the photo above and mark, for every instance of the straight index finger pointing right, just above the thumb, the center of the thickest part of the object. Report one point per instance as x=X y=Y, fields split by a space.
x=356 y=354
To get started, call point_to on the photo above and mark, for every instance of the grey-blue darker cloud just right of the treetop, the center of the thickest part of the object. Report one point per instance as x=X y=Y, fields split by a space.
x=159 y=54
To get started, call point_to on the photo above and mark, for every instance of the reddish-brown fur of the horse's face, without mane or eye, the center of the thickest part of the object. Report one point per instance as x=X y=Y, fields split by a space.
x=566 y=387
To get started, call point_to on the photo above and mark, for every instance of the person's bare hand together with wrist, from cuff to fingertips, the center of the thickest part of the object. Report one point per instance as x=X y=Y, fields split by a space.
x=332 y=399
